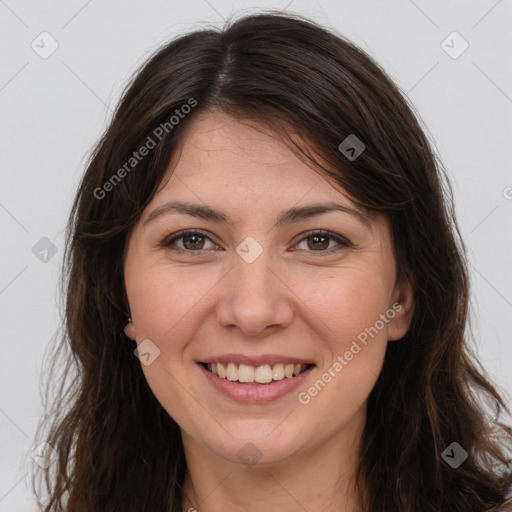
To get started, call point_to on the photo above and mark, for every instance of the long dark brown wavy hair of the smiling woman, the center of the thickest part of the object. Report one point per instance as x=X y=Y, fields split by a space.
x=117 y=448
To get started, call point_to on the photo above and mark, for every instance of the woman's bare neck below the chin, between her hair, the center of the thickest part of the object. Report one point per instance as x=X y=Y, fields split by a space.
x=320 y=478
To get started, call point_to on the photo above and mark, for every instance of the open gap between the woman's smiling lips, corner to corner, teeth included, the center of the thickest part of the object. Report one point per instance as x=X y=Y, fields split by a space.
x=261 y=375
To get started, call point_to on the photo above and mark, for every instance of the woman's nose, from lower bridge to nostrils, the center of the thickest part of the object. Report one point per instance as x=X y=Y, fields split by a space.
x=255 y=297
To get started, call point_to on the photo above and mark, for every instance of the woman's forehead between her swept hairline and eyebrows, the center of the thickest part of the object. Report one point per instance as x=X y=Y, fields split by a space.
x=217 y=152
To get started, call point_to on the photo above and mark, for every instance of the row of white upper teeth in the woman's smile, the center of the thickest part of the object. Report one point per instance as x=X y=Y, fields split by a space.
x=260 y=374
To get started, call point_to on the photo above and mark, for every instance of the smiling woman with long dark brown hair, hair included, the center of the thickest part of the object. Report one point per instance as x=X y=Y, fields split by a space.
x=267 y=295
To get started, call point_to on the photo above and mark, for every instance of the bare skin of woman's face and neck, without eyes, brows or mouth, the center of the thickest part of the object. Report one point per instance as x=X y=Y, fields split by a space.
x=294 y=299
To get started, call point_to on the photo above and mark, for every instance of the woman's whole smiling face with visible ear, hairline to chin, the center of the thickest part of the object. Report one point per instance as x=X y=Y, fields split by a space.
x=265 y=294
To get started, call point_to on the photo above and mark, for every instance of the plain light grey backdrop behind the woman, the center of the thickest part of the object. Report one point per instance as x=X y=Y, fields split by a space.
x=53 y=109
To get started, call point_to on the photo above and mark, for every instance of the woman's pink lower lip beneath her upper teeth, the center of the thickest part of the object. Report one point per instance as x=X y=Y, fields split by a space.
x=255 y=393
